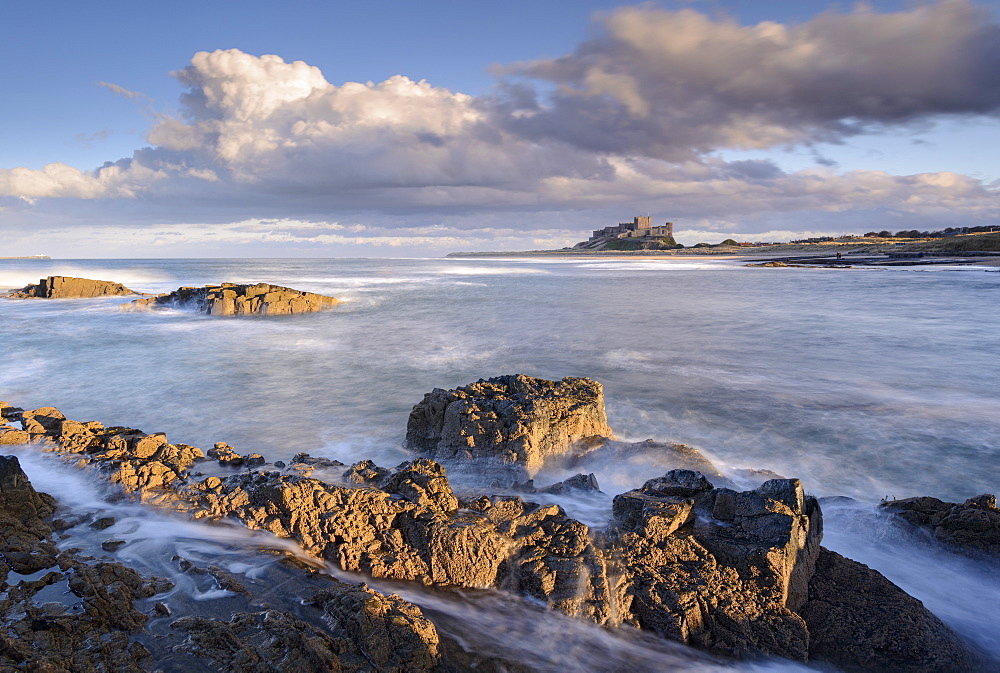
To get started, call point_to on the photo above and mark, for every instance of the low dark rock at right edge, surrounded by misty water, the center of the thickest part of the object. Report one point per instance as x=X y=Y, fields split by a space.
x=972 y=527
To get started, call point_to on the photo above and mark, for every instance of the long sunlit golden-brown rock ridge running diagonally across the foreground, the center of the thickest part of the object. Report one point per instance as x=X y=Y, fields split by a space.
x=720 y=569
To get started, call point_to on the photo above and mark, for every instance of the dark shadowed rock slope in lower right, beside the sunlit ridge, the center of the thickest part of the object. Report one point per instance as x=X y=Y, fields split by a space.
x=860 y=621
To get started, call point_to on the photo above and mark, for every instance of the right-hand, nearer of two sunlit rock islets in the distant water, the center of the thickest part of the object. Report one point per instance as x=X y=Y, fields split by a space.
x=231 y=299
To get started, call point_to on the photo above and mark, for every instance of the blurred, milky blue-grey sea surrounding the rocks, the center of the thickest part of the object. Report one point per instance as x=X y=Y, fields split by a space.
x=867 y=384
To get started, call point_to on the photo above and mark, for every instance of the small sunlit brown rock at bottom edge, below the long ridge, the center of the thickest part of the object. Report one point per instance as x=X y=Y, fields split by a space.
x=393 y=634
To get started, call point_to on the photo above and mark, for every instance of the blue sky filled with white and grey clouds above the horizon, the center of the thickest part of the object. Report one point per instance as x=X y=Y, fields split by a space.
x=393 y=128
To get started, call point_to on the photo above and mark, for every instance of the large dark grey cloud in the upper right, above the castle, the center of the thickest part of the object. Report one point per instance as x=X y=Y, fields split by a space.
x=673 y=84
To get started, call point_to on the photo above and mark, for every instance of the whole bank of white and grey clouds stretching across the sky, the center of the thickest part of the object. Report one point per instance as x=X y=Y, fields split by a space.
x=632 y=118
